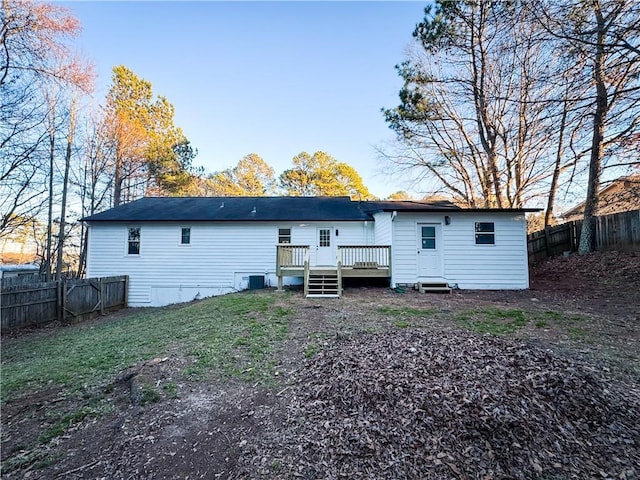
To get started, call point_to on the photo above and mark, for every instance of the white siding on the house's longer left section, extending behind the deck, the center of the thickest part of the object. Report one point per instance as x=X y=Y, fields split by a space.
x=219 y=259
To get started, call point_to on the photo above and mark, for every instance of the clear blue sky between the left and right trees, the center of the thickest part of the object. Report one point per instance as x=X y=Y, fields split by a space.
x=272 y=78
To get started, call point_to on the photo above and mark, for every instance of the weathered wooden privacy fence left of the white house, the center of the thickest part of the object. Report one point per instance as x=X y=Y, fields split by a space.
x=26 y=304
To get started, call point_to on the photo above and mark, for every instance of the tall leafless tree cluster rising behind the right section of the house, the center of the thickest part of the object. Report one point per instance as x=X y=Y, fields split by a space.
x=472 y=113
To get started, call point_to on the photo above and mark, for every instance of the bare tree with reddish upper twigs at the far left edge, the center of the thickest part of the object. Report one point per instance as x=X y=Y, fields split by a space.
x=33 y=56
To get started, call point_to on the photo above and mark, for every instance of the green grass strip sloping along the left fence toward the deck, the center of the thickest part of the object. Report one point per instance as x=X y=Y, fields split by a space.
x=233 y=335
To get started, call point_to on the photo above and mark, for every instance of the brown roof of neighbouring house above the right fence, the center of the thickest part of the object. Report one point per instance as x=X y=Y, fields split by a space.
x=621 y=195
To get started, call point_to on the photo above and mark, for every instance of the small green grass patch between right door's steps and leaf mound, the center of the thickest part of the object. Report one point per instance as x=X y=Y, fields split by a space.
x=493 y=321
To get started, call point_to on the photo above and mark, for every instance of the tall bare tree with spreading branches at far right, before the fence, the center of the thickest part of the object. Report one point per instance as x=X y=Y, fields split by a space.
x=604 y=36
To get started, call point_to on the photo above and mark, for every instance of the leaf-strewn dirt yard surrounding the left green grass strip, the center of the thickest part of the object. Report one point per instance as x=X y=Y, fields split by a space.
x=582 y=314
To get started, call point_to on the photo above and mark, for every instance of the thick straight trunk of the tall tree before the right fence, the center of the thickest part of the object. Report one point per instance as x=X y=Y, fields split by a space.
x=587 y=235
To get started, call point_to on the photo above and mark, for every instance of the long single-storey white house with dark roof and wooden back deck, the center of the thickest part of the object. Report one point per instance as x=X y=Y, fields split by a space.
x=180 y=249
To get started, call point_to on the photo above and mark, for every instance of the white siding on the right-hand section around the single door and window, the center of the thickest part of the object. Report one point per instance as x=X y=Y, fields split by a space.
x=469 y=266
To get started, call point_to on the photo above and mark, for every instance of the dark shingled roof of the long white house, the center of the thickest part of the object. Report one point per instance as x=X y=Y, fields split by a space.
x=282 y=209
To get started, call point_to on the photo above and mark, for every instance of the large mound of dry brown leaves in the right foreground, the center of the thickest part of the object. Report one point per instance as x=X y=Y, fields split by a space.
x=413 y=404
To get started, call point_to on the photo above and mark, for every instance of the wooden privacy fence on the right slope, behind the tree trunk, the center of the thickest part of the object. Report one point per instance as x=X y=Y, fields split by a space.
x=619 y=230
